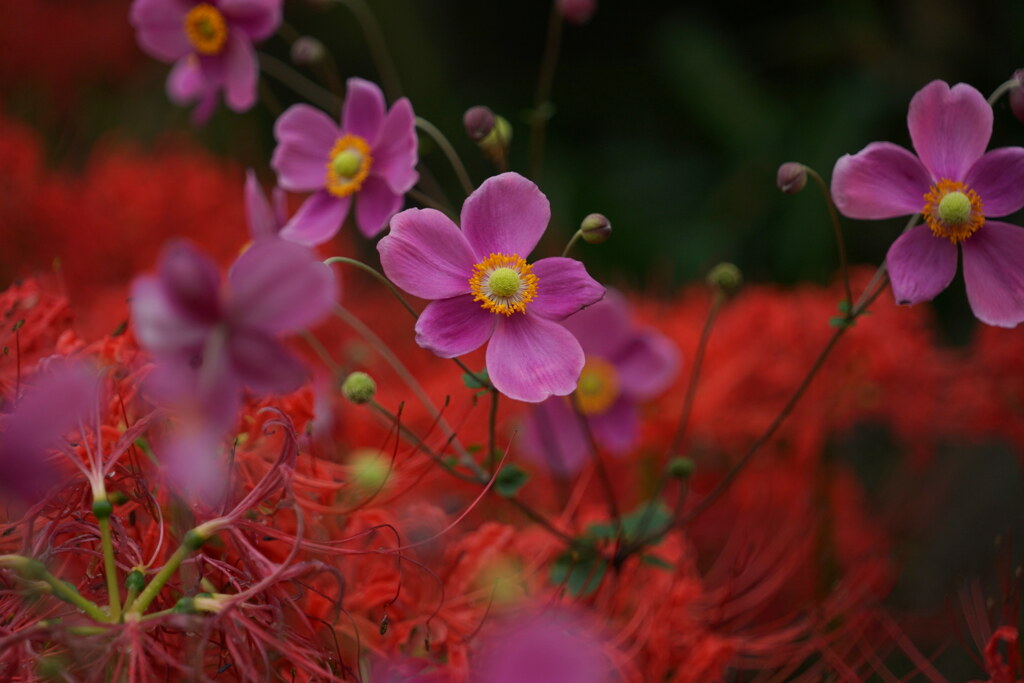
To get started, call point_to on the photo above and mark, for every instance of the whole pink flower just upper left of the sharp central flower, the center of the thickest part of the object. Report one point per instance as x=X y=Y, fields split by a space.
x=371 y=156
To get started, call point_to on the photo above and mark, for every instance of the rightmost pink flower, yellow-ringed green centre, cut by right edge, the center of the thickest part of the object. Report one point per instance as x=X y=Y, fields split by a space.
x=957 y=187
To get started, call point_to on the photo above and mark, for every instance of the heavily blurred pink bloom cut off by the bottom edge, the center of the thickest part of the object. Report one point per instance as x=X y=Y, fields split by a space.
x=550 y=648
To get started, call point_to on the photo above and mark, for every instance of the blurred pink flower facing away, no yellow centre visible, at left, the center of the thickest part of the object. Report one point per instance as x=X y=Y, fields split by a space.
x=212 y=339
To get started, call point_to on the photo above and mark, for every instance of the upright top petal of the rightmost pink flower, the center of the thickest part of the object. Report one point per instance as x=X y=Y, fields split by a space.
x=950 y=127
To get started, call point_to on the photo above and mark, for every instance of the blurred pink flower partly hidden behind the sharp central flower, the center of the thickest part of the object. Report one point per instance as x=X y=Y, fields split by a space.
x=625 y=366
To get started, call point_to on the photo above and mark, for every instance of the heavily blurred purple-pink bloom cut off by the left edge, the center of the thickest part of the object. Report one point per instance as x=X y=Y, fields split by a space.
x=60 y=397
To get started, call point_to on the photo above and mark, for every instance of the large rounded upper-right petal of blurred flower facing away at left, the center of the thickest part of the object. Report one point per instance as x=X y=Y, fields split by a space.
x=278 y=286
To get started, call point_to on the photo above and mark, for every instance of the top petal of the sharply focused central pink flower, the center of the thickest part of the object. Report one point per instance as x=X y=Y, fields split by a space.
x=506 y=216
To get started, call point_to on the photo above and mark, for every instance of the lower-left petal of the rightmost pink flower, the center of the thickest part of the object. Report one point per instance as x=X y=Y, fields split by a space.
x=921 y=266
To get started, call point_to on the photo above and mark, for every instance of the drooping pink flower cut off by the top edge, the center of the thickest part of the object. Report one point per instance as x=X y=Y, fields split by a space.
x=211 y=46
